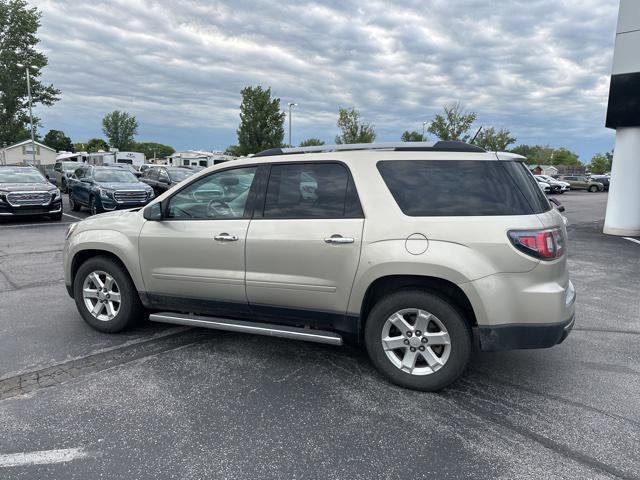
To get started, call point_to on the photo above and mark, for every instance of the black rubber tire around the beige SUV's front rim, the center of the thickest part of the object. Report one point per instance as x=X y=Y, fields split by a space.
x=130 y=309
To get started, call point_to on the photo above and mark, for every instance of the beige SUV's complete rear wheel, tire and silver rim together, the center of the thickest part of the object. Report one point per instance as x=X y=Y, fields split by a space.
x=418 y=340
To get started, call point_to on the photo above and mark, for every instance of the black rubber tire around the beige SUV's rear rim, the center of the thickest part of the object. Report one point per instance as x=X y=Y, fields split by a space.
x=449 y=316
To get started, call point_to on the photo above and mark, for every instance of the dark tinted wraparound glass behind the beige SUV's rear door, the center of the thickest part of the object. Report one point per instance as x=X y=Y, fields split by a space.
x=436 y=188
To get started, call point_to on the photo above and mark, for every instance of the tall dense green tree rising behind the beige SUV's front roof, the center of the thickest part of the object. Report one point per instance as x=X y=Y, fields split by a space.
x=261 y=121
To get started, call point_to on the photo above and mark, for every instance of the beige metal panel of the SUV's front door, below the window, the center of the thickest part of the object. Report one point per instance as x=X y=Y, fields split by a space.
x=182 y=258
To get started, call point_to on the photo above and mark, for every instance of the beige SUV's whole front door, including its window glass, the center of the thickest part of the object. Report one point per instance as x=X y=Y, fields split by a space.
x=197 y=250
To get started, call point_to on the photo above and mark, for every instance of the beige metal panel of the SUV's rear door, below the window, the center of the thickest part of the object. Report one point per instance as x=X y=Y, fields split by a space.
x=289 y=263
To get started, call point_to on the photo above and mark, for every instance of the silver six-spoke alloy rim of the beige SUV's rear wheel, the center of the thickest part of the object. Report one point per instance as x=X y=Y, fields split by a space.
x=416 y=341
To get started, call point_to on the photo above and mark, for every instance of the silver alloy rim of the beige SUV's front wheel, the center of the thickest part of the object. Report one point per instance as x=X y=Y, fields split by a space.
x=101 y=295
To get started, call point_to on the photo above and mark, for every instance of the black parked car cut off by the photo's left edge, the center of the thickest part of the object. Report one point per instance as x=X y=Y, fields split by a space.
x=25 y=191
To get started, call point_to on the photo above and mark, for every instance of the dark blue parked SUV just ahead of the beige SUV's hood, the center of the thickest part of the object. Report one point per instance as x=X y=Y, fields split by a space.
x=103 y=189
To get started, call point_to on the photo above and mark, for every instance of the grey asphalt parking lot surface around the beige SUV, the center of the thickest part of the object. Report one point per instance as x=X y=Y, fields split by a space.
x=164 y=402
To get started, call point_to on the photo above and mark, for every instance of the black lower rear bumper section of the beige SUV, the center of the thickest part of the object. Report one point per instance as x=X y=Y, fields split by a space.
x=519 y=336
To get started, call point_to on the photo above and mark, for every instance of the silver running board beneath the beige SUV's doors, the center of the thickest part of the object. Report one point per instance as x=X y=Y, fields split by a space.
x=268 y=329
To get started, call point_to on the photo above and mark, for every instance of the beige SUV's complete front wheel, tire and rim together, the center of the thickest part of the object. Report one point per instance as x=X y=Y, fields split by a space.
x=105 y=296
